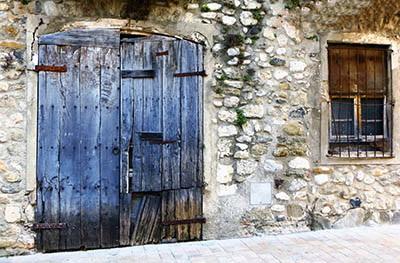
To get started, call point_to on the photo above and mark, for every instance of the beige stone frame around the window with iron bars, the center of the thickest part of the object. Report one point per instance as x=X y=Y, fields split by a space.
x=322 y=157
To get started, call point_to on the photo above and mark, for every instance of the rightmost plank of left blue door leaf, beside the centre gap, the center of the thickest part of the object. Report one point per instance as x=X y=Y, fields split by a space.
x=109 y=143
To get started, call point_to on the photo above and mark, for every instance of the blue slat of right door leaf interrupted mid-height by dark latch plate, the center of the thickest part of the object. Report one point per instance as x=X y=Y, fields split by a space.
x=151 y=120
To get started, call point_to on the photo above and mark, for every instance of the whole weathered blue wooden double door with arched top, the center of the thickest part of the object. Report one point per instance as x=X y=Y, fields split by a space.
x=119 y=149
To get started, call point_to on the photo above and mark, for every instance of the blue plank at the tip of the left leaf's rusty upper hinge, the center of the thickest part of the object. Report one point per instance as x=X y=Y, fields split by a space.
x=70 y=180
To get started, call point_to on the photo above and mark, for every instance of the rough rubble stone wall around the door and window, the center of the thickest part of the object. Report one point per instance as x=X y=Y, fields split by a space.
x=262 y=109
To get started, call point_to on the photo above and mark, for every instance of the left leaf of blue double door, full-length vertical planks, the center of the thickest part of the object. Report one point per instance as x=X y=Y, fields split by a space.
x=78 y=147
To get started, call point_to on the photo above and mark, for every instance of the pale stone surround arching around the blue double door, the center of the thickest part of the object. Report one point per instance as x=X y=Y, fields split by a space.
x=38 y=24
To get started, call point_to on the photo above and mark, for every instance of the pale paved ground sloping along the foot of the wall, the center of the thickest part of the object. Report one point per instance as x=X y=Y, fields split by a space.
x=363 y=245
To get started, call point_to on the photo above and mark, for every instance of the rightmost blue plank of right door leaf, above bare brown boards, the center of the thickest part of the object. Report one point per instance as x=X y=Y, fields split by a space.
x=190 y=118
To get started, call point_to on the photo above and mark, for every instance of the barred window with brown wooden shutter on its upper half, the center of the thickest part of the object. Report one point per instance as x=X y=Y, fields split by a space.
x=360 y=124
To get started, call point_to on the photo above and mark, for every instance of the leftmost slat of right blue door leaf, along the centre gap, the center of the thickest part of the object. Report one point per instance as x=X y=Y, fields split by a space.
x=126 y=134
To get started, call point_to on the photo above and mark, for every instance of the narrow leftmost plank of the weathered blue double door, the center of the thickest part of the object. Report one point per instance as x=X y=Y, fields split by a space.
x=41 y=145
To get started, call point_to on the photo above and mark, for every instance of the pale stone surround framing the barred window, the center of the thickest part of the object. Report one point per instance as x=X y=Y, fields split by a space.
x=357 y=38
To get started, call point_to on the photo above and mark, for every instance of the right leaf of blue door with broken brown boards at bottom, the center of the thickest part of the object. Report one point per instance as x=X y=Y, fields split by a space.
x=161 y=138
